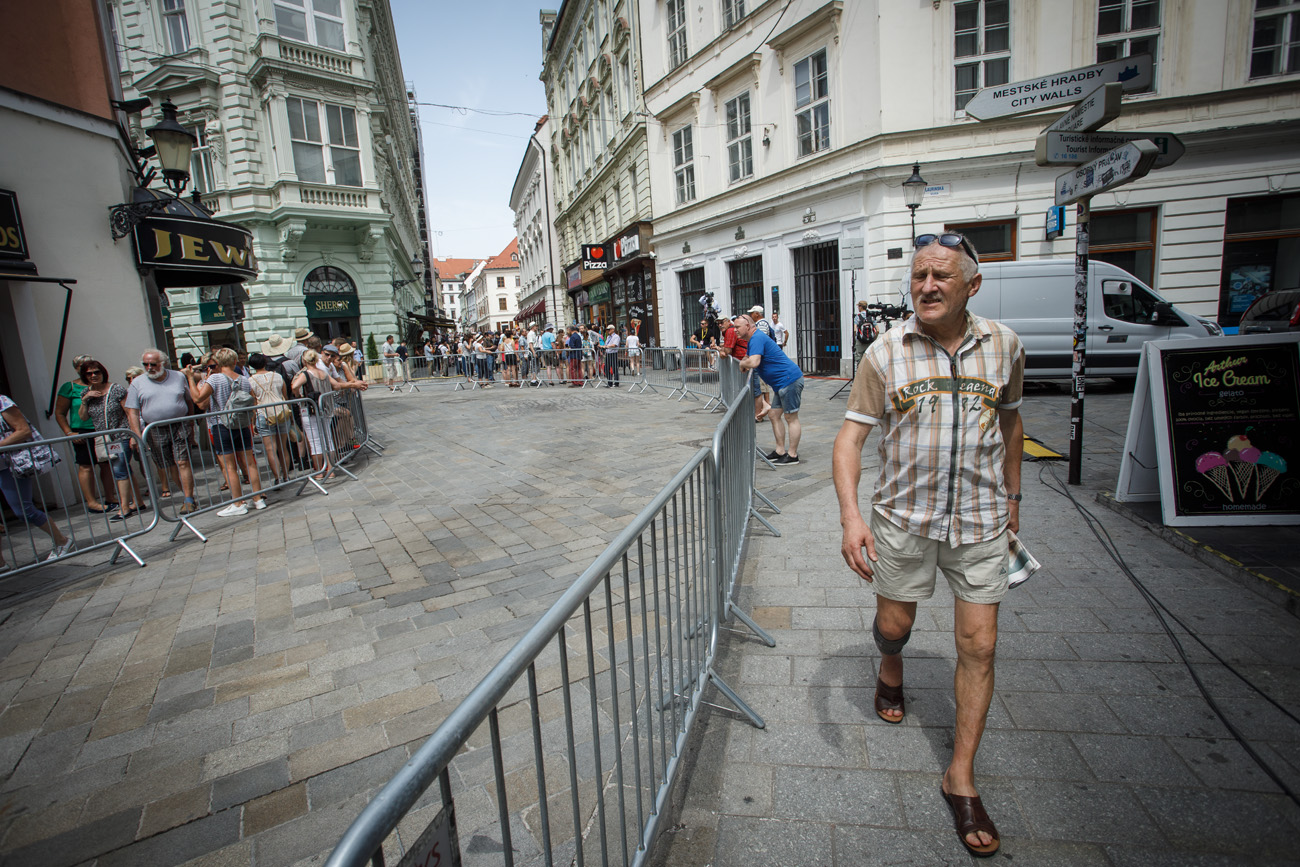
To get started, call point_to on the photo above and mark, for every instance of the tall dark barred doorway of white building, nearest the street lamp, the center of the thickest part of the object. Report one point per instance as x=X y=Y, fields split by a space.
x=817 y=309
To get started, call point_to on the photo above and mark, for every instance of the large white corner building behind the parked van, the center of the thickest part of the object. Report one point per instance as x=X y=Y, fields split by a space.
x=782 y=136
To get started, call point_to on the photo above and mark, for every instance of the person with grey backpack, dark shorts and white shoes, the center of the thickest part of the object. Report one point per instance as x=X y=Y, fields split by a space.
x=232 y=440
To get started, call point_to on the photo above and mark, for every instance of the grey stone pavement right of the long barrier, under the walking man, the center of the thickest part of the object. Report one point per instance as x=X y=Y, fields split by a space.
x=1099 y=748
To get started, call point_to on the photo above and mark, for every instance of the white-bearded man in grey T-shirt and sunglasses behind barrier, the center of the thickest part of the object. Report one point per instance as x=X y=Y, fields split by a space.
x=163 y=396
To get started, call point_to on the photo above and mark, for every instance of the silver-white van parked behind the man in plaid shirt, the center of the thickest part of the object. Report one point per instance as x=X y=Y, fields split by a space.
x=1037 y=301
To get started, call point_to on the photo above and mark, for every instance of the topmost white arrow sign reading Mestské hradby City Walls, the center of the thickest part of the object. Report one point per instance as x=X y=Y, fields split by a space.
x=1059 y=89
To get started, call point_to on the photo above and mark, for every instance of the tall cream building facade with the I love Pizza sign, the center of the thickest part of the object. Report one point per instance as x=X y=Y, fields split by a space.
x=600 y=162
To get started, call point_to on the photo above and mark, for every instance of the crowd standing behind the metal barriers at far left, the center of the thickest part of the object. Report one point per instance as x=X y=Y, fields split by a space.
x=242 y=388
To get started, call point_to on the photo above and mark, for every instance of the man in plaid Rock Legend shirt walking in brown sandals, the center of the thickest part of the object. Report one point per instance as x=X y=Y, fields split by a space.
x=946 y=392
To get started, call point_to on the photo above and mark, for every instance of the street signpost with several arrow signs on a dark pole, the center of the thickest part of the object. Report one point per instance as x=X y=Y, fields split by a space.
x=1104 y=161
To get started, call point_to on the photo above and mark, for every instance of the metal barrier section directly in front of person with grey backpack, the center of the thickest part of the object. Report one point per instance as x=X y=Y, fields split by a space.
x=201 y=472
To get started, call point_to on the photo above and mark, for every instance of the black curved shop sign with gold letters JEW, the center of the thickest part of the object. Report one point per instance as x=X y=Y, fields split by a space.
x=189 y=252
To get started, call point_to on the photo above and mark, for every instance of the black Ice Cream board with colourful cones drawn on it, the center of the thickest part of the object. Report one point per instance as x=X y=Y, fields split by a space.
x=1228 y=415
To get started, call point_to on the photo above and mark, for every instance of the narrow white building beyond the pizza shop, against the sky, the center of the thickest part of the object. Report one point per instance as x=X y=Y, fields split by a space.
x=541 y=294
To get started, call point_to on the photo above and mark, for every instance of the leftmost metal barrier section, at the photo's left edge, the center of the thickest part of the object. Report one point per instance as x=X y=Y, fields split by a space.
x=59 y=496
